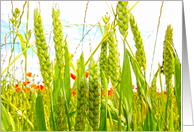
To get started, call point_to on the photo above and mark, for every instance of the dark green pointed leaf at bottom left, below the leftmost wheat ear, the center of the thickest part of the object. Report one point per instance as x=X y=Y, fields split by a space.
x=40 y=113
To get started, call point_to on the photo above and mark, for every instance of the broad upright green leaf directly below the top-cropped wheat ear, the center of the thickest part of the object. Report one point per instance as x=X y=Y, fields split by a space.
x=126 y=89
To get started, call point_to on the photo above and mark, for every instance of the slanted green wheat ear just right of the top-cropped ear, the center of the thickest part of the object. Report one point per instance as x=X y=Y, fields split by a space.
x=140 y=53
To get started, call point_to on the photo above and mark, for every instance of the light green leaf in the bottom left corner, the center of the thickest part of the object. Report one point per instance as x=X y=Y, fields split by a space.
x=7 y=123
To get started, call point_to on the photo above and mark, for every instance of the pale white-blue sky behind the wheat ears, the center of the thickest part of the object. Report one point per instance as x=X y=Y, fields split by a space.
x=145 y=13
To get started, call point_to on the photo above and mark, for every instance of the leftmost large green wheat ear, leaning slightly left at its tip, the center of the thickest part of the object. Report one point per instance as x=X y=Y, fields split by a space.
x=42 y=48
